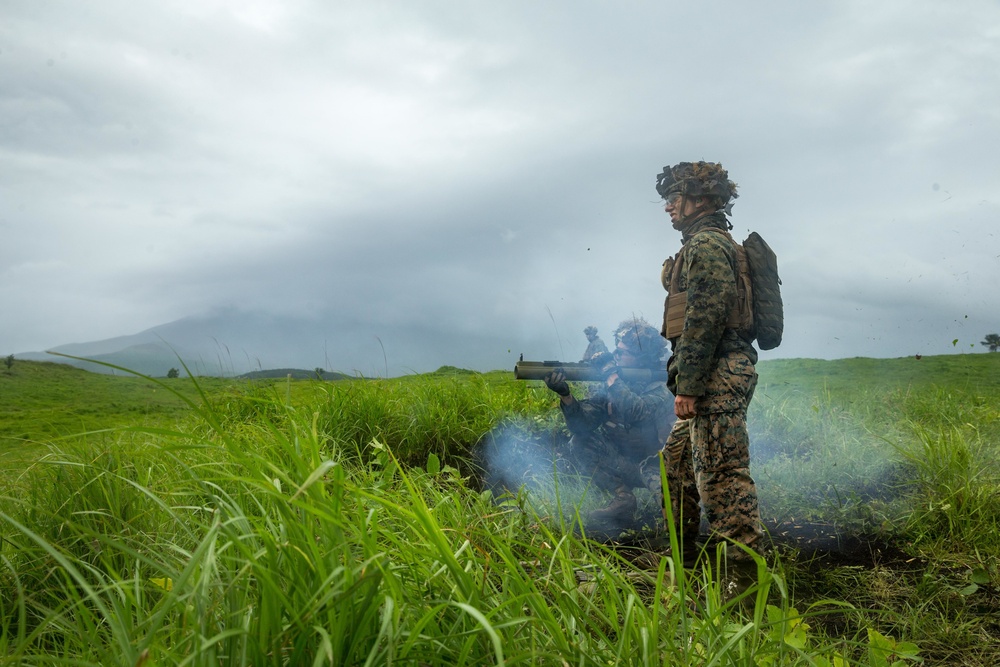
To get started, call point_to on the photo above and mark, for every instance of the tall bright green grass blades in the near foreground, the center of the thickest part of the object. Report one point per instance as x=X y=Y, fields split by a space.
x=271 y=541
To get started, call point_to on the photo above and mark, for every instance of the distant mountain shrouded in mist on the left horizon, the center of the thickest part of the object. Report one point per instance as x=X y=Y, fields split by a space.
x=230 y=342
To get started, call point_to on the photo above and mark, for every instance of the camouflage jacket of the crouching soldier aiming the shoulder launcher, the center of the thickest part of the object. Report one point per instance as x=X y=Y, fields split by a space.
x=636 y=418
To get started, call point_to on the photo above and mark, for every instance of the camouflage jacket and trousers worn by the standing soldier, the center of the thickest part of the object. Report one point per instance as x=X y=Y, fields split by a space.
x=707 y=457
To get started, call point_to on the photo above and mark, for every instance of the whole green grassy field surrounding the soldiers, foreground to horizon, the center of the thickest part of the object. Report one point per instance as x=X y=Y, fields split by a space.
x=305 y=522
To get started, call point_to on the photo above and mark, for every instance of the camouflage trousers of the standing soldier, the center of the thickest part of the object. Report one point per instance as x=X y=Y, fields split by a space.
x=707 y=460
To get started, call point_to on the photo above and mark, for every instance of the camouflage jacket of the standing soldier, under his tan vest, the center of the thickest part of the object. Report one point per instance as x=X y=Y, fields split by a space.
x=708 y=275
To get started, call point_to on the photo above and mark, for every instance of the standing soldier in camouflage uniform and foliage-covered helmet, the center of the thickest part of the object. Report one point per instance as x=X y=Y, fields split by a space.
x=711 y=368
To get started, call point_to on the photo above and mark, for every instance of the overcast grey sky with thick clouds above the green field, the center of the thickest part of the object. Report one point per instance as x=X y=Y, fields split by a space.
x=486 y=170
